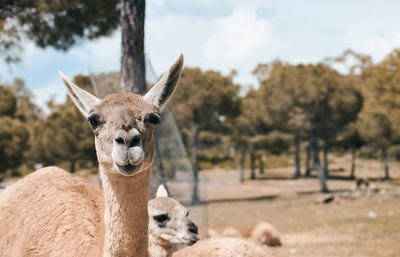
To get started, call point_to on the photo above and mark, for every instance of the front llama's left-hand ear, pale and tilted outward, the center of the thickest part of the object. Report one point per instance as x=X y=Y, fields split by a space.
x=82 y=99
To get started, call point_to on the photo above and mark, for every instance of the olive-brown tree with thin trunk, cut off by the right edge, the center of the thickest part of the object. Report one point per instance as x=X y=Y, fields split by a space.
x=381 y=115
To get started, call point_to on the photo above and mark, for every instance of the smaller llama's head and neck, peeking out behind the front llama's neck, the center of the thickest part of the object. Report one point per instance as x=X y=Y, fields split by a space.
x=169 y=225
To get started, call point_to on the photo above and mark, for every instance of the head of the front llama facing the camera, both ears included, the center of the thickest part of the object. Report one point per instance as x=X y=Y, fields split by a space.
x=123 y=124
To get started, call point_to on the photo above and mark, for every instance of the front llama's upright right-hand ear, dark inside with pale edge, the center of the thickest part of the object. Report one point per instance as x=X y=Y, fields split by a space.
x=160 y=93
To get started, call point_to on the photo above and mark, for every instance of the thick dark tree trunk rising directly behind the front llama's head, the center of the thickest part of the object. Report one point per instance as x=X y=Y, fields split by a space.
x=133 y=60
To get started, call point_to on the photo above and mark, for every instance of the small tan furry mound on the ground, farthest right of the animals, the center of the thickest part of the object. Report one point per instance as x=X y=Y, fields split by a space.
x=265 y=234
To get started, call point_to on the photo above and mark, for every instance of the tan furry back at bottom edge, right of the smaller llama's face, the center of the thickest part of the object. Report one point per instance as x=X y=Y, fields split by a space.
x=225 y=247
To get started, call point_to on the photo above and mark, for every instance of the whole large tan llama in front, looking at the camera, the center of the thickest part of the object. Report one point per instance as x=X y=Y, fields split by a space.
x=53 y=213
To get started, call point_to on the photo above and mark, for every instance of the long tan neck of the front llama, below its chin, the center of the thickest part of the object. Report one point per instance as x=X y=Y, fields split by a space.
x=125 y=215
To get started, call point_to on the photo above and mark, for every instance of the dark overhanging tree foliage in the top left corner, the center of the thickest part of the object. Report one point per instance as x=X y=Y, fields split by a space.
x=59 y=24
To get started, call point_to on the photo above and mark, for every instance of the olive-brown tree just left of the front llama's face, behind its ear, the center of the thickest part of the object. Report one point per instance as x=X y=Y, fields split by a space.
x=64 y=136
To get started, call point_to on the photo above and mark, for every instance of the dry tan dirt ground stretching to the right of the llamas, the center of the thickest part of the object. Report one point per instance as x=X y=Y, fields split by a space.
x=351 y=225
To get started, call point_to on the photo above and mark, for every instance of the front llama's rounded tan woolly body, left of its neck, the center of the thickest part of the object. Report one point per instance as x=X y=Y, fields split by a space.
x=51 y=200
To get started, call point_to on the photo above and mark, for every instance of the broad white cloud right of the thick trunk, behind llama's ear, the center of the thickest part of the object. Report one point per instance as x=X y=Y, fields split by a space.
x=238 y=41
